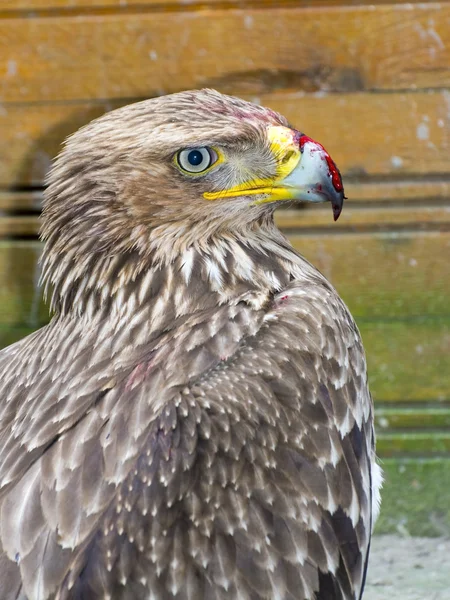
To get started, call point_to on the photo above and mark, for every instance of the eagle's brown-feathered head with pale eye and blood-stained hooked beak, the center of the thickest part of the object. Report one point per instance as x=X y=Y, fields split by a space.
x=166 y=173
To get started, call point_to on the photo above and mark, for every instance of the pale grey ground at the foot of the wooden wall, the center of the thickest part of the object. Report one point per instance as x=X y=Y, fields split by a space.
x=402 y=568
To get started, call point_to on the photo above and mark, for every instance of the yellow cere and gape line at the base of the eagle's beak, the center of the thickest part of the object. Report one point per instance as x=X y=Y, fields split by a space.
x=287 y=156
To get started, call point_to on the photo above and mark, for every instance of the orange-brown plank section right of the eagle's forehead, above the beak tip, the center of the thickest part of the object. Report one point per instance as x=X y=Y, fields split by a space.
x=396 y=134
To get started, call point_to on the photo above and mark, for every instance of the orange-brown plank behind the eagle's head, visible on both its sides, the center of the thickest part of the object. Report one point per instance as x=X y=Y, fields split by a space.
x=375 y=134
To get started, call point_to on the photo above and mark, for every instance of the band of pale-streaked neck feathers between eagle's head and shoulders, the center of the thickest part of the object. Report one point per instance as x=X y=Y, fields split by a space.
x=174 y=278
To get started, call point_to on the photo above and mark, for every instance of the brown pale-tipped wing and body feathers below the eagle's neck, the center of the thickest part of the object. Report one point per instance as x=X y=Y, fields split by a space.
x=229 y=457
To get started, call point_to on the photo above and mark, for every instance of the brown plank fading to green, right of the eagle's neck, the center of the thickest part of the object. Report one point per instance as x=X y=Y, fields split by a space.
x=384 y=276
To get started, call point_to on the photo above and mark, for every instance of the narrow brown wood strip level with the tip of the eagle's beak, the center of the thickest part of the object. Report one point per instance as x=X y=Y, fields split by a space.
x=354 y=218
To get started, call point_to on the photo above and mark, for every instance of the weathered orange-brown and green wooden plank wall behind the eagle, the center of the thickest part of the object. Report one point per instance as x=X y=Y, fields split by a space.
x=370 y=81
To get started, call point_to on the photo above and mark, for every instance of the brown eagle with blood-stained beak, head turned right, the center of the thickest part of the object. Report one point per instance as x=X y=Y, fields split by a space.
x=195 y=422
